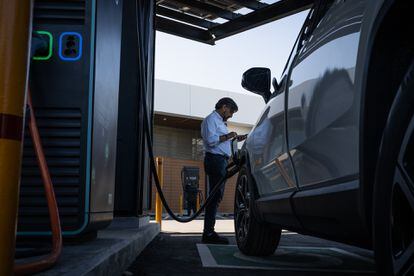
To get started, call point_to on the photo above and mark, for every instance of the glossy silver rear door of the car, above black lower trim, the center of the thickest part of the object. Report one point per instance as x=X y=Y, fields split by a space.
x=322 y=110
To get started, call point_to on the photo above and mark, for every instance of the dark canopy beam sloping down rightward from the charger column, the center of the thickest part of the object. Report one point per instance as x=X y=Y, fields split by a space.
x=183 y=30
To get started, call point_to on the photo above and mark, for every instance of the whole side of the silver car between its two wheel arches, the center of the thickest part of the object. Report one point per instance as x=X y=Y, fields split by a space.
x=317 y=115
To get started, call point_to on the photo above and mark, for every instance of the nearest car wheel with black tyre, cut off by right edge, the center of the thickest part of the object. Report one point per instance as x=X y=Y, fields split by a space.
x=393 y=223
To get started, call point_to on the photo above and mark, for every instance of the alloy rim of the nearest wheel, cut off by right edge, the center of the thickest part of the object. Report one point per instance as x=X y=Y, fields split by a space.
x=402 y=206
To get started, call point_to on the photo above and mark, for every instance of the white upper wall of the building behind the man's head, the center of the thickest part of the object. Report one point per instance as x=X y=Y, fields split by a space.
x=197 y=102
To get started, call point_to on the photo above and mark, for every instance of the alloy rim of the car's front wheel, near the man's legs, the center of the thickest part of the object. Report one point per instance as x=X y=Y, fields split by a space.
x=242 y=204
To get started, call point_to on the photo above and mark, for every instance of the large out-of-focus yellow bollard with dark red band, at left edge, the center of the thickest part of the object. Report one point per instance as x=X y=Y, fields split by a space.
x=15 y=31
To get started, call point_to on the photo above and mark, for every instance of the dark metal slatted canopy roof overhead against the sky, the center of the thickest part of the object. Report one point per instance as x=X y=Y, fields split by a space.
x=210 y=20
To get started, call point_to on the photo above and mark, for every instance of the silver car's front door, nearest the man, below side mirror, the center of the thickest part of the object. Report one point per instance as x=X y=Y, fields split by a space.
x=270 y=164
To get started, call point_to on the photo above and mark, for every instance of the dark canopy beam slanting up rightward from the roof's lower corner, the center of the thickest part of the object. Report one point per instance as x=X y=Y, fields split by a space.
x=272 y=12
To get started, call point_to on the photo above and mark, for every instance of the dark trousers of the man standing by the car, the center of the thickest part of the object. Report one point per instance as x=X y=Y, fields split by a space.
x=215 y=168
